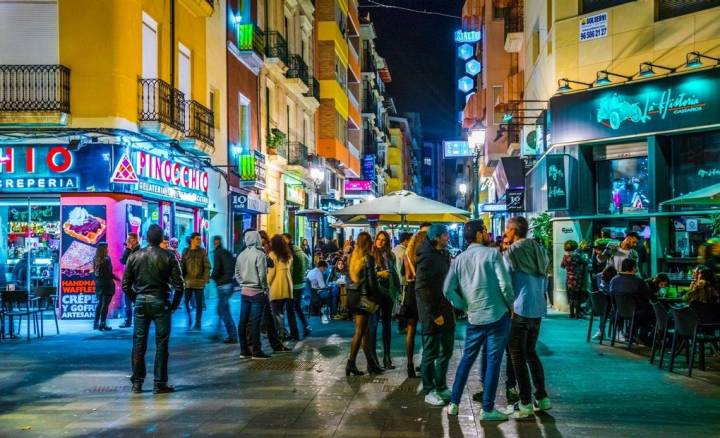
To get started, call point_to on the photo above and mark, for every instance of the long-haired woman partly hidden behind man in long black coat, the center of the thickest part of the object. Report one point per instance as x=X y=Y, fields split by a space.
x=409 y=304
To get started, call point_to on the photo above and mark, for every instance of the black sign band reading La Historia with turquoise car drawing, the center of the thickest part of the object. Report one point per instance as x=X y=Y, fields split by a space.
x=667 y=104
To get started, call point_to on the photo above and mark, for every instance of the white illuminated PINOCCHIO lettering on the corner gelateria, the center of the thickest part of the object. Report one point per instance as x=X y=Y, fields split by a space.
x=170 y=172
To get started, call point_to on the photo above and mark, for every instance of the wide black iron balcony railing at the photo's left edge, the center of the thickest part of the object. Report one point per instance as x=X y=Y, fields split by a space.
x=35 y=88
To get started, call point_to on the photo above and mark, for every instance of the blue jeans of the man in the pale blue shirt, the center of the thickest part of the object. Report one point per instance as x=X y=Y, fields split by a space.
x=495 y=337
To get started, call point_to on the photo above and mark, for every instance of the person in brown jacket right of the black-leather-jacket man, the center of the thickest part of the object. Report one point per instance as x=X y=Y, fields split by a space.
x=196 y=268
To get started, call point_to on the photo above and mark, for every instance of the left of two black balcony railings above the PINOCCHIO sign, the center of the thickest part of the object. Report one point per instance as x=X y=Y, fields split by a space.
x=160 y=102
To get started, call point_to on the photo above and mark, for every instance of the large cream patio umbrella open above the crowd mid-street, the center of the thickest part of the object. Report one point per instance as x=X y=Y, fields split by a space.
x=402 y=207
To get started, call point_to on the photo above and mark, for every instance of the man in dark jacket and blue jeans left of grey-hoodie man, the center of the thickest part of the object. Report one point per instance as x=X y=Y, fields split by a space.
x=222 y=274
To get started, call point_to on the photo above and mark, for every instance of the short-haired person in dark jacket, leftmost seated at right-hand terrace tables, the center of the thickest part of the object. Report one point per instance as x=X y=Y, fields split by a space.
x=628 y=283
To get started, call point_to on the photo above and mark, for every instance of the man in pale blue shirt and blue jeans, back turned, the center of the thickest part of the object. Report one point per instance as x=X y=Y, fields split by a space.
x=480 y=284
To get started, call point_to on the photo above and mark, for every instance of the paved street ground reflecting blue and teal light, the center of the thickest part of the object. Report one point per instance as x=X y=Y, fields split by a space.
x=76 y=384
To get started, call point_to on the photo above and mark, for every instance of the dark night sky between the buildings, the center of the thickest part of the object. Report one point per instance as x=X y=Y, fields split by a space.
x=419 y=50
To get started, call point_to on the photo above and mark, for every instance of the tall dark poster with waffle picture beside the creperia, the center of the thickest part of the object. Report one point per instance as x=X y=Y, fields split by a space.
x=83 y=227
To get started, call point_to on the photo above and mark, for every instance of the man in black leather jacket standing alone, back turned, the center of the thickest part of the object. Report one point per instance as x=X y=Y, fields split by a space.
x=149 y=275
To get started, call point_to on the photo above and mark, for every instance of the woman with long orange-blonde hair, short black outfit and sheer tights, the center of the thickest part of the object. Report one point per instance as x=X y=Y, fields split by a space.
x=362 y=294
